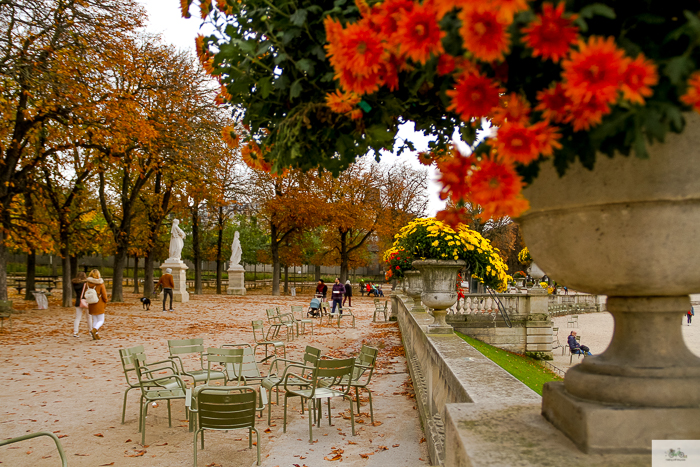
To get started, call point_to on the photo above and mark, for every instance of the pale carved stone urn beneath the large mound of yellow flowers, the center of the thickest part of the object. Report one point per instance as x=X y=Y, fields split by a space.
x=439 y=289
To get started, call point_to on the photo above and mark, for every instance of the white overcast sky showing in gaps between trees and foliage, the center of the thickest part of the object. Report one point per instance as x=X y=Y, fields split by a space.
x=164 y=18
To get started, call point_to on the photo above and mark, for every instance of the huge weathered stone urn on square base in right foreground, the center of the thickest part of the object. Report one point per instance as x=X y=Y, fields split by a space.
x=628 y=230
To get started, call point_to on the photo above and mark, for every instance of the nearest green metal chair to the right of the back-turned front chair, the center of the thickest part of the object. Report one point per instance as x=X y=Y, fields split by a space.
x=332 y=371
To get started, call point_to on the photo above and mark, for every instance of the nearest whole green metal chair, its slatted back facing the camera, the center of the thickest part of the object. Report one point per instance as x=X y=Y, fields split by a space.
x=226 y=408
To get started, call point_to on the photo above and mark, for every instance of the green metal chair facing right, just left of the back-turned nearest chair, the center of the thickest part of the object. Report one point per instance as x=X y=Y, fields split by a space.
x=155 y=389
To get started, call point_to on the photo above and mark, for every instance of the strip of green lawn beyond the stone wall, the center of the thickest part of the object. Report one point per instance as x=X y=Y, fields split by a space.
x=525 y=369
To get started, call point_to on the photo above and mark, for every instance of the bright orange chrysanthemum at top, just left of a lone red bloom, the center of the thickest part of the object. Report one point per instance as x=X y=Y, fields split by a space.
x=485 y=34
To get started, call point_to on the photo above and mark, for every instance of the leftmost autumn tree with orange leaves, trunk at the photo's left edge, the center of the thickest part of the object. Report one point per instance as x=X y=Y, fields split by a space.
x=39 y=46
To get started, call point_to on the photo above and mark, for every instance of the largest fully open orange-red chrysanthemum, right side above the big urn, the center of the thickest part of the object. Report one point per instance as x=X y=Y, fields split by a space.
x=594 y=71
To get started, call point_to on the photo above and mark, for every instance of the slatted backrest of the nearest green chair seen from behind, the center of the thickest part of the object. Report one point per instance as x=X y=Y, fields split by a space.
x=226 y=408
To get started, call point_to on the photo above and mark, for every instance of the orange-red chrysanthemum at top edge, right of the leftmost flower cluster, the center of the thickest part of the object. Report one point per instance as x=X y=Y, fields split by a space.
x=419 y=34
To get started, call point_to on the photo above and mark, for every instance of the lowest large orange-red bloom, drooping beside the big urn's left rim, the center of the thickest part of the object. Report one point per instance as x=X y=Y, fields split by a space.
x=493 y=181
